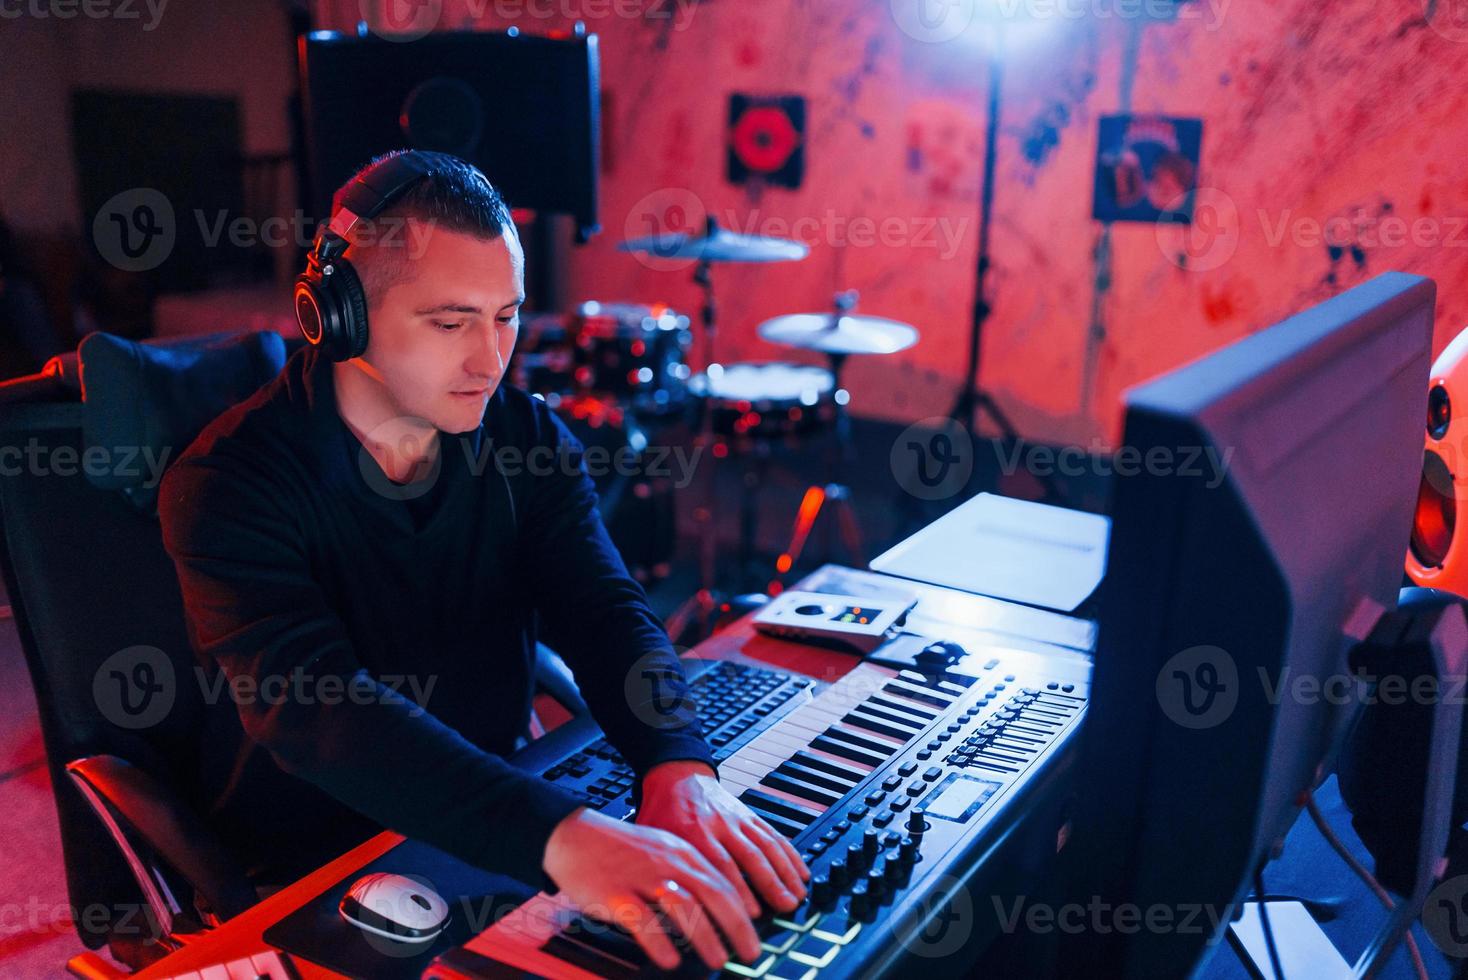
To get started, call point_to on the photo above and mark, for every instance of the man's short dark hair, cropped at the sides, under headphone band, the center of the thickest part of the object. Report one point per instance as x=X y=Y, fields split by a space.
x=456 y=197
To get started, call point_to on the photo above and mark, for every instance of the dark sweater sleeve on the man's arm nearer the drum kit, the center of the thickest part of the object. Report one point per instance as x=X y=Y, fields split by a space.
x=597 y=615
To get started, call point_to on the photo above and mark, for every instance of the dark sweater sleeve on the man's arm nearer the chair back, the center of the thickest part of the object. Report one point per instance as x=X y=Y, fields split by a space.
x=255 y=610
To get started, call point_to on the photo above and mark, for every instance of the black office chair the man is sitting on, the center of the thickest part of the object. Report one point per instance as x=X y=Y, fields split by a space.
x=87 y=576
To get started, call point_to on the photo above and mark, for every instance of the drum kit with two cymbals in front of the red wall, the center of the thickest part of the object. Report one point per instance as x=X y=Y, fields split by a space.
x=626 y=367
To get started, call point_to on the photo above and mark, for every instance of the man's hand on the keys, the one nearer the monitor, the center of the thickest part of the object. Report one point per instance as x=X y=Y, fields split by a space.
x=688 y=800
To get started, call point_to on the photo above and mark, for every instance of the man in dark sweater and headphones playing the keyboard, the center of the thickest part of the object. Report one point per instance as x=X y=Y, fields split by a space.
x=377 y=514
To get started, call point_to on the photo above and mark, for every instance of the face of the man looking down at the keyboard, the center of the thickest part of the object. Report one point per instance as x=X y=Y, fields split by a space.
x=441 y=337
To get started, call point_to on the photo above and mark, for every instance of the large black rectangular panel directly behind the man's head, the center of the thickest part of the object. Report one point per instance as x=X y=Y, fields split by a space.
x=522 y=109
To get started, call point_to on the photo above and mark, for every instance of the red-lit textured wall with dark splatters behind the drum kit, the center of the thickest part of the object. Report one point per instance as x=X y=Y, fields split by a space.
x=1316 y=112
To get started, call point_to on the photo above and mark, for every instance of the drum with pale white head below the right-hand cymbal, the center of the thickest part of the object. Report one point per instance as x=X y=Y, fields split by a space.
x=767 y=400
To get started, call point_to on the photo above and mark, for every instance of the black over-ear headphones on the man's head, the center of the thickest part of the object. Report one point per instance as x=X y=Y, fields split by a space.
x=330 y=300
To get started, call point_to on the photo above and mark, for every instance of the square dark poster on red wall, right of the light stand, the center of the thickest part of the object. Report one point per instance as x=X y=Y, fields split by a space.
x=1147 y=169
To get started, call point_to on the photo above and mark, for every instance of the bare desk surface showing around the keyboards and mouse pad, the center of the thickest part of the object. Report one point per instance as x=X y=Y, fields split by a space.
x=942 y=612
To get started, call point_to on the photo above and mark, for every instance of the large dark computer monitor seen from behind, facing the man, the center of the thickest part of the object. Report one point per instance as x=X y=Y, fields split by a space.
x=1260 y=520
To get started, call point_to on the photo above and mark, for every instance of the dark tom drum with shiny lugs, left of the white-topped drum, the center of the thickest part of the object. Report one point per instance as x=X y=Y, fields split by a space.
x=632 y=353
